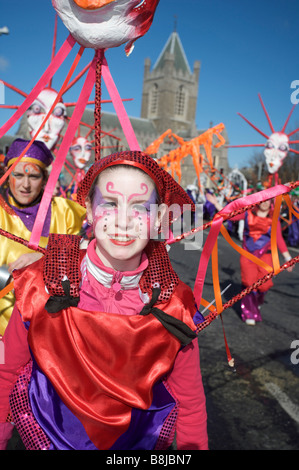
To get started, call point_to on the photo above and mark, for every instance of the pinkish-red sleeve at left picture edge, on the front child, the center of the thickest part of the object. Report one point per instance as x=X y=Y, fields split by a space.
x=14 y=355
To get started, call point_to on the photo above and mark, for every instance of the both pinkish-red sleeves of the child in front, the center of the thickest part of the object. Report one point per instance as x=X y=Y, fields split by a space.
x=184 y=379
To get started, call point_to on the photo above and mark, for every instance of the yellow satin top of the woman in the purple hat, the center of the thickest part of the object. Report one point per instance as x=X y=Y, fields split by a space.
x=66 y=217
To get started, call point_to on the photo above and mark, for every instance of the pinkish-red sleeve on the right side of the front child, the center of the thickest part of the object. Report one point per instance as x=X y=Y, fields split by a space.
x=185 y=382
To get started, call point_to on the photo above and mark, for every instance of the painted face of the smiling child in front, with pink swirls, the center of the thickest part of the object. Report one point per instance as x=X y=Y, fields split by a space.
x=122 y=216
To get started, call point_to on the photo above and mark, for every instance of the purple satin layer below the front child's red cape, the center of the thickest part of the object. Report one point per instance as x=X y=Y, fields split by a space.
x=67 y=433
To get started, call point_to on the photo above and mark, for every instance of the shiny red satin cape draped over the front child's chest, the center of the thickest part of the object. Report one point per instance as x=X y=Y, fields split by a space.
x=110 y=368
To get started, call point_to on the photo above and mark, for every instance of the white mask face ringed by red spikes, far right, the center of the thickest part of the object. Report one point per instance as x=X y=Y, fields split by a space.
x=276 y=150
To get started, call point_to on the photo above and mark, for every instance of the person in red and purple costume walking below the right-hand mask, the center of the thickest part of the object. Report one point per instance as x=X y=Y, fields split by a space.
x=257 y=240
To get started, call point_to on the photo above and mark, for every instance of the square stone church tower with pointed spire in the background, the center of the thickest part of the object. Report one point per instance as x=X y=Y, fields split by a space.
x=170 y=90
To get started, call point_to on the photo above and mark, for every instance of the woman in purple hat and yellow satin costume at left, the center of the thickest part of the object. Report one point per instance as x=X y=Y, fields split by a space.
x=19 y=204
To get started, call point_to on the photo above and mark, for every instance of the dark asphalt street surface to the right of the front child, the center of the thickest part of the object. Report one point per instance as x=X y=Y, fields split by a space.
x=254 y=406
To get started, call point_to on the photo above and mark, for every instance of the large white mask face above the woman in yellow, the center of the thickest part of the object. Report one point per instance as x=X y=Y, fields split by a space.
x=38 y=111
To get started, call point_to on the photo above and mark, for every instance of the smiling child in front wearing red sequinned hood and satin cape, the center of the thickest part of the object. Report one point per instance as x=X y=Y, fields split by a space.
x=105 y=354
